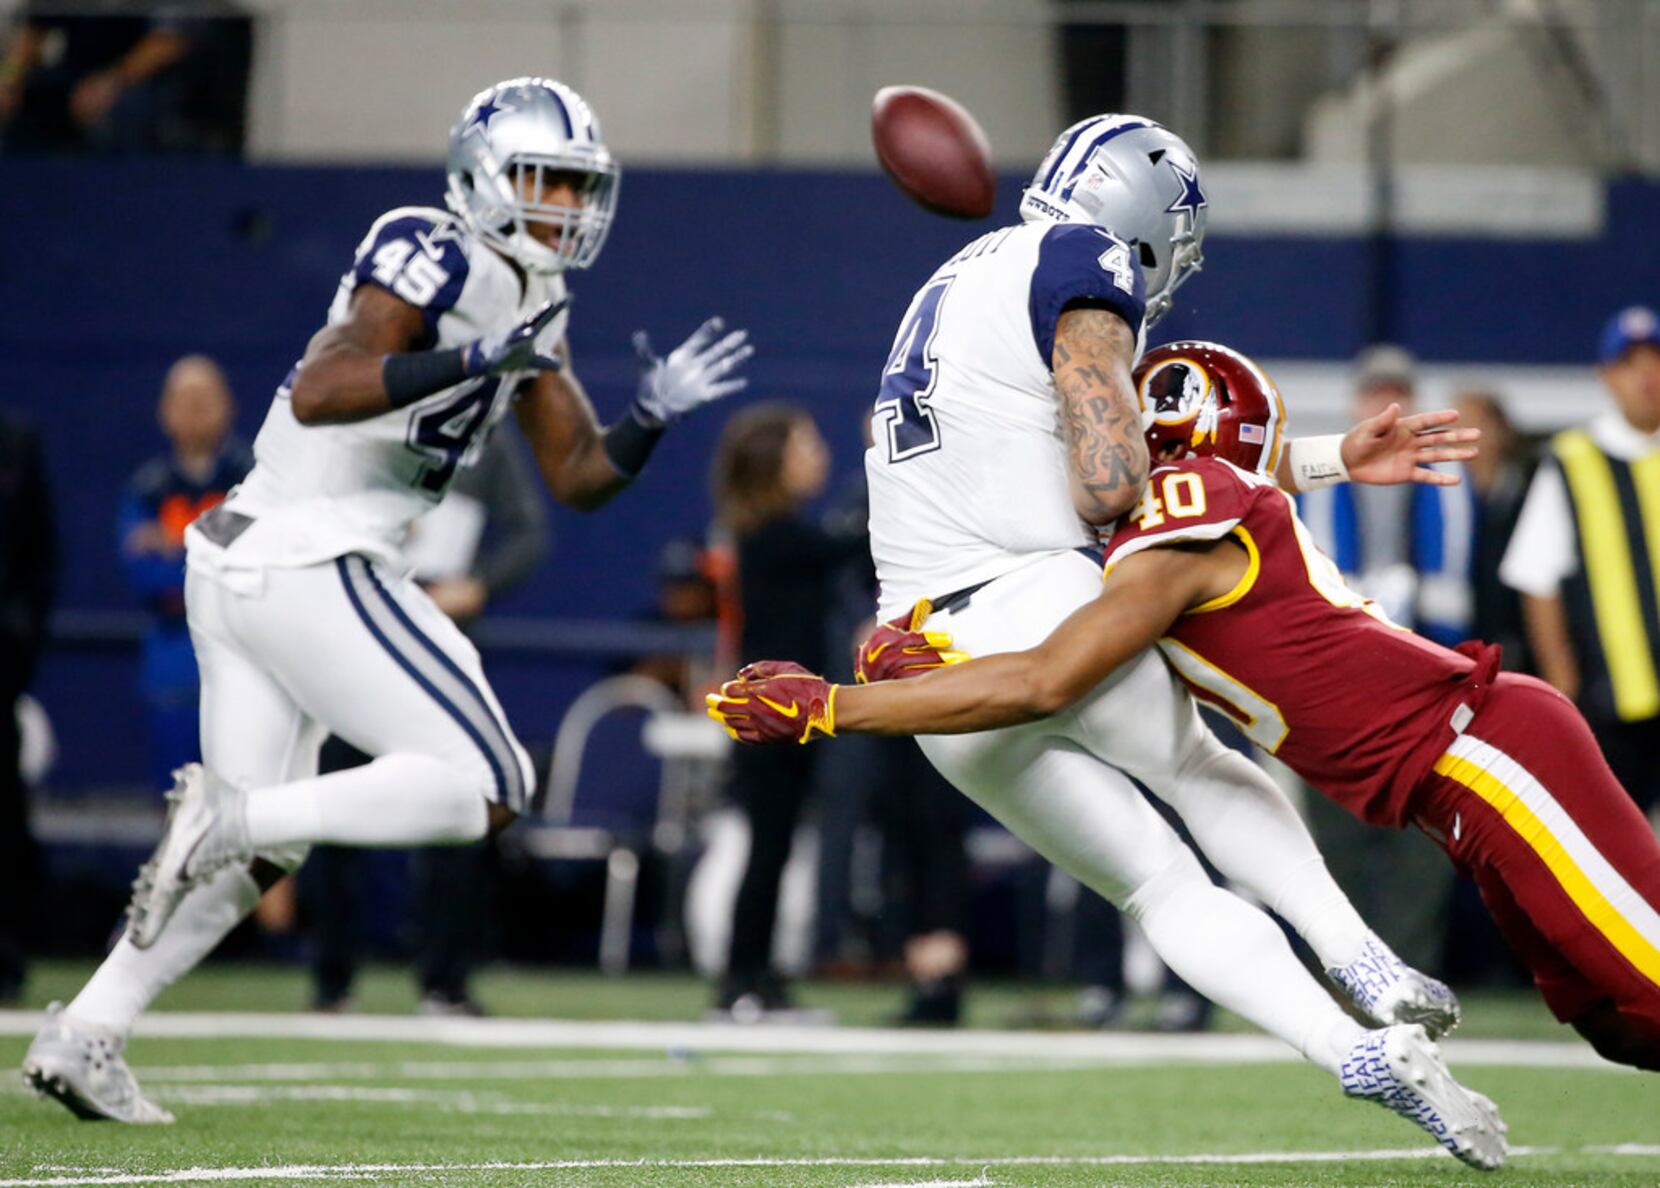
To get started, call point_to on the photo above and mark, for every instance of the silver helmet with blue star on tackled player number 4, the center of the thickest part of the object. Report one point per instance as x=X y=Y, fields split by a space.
x=1140 y=182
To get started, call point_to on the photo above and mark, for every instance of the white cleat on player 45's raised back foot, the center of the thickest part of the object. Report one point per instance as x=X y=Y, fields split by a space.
x=207 y=832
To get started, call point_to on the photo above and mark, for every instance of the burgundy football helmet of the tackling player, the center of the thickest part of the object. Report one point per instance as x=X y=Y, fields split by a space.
x=1208 y=399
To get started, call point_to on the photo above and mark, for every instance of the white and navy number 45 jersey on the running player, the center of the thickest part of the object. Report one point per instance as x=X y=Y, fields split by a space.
x=321 y=492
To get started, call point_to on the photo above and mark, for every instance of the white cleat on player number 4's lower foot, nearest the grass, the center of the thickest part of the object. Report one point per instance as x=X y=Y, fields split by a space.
x=1402 y=1069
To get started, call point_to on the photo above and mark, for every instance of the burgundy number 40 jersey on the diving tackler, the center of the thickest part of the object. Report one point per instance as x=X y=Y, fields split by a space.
x=1307 y=668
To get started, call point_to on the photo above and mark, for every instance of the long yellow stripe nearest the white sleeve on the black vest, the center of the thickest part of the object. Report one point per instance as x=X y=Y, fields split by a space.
x=1611 y=572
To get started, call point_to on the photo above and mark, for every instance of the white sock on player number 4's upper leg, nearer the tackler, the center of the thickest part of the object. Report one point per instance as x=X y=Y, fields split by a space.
x=1249 y=832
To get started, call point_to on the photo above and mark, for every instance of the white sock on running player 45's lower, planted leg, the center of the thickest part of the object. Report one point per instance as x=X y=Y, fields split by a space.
x=132 y=978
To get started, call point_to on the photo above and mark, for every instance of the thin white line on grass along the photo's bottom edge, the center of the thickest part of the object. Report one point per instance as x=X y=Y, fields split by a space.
x=366 y=1171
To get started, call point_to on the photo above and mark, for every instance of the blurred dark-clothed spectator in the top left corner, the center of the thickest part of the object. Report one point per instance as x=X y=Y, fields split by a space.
x=125 y=77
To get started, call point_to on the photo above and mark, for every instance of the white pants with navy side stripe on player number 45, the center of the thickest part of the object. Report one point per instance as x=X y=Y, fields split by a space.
x=290 y=656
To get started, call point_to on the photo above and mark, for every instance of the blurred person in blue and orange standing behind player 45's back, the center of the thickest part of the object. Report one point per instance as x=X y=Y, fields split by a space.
x=162 y=500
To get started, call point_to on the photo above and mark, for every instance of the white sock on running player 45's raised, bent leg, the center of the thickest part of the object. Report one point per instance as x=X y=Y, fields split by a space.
x=399 y=801
